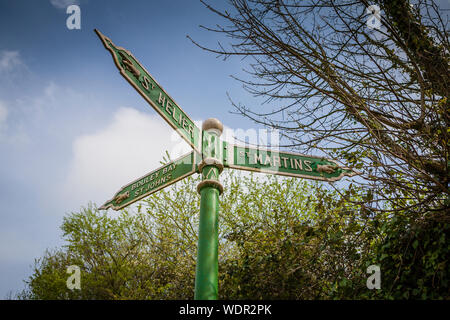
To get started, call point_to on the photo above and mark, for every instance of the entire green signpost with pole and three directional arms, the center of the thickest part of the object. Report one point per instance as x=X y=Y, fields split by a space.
x=209 y=157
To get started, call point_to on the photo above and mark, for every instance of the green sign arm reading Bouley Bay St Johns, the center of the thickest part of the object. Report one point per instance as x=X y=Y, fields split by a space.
x=153 y=181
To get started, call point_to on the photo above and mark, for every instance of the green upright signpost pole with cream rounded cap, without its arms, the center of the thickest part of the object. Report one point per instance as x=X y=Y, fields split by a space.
x=207 y=269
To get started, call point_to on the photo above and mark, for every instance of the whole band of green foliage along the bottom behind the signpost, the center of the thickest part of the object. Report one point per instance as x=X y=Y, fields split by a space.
x=279 y=239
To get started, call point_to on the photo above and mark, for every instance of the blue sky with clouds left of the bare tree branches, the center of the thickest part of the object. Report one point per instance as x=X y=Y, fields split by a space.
x=72 y=130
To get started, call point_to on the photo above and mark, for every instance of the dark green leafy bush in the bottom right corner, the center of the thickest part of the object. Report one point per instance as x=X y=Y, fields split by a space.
x=415 y=257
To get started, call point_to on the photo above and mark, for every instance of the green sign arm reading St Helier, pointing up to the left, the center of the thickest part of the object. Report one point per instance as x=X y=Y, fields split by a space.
x=153 y=93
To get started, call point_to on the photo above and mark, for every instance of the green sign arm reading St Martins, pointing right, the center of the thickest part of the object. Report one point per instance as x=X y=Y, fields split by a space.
x=283 y=163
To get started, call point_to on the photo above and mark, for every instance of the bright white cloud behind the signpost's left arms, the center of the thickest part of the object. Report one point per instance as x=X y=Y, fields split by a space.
x=130 y=146
